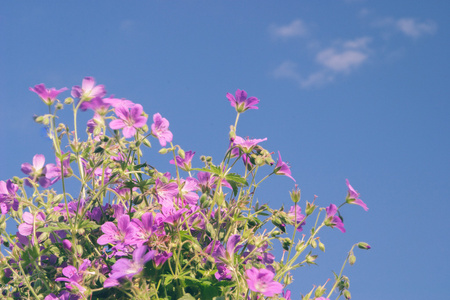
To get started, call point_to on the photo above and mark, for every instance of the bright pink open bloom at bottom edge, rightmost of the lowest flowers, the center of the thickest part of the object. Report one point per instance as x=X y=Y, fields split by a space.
x=261 y=281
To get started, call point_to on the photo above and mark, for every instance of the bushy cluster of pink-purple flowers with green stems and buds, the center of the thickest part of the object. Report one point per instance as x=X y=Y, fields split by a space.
x=134 y=232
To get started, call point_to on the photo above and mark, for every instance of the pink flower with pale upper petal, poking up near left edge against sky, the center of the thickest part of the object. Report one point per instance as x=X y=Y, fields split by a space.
x=38 y=172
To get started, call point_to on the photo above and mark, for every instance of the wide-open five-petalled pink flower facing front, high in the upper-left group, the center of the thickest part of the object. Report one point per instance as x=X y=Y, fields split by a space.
x=129 y=120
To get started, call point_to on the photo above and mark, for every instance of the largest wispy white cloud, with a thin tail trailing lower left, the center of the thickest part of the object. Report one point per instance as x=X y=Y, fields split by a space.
x=341 y=58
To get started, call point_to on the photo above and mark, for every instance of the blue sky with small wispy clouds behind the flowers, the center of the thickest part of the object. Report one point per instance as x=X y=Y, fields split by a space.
x=348 y=89
